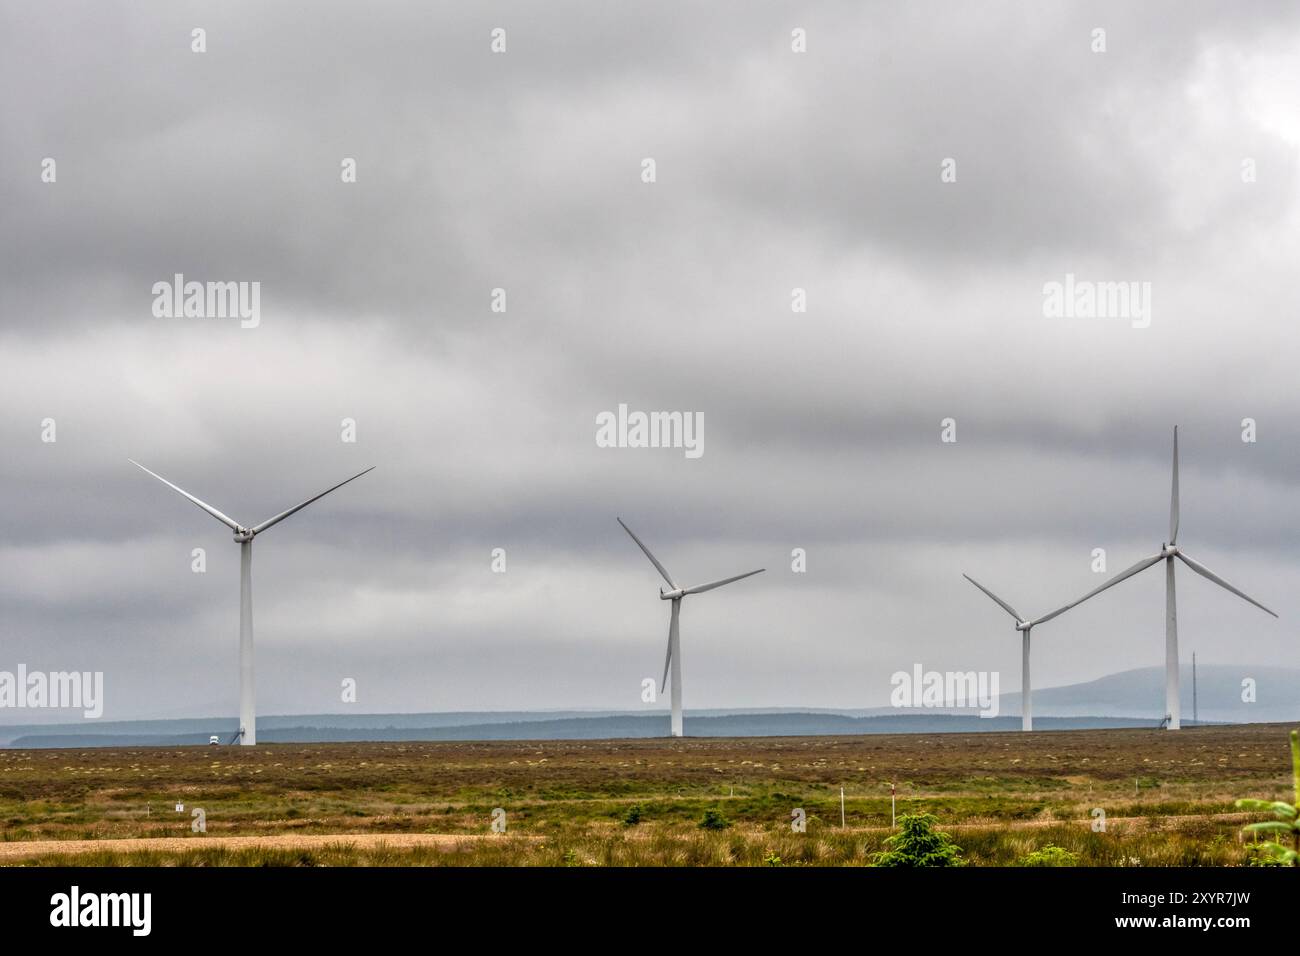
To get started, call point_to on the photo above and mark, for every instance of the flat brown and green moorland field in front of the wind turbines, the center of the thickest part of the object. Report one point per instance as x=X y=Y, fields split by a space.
x=1168 y=799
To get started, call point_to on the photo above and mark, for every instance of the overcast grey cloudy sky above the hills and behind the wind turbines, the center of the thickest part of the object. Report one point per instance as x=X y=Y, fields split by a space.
x=523 y=171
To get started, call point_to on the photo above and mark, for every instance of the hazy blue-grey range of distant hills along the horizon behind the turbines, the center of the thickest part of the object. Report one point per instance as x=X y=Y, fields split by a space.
x=1129 y=699
